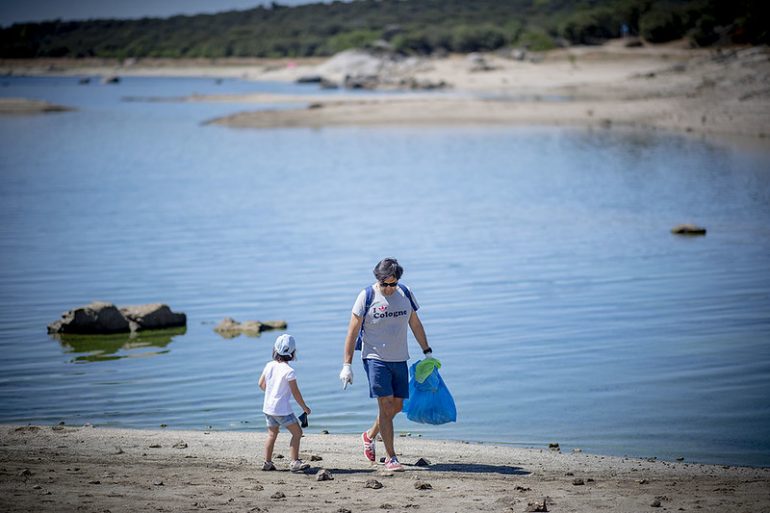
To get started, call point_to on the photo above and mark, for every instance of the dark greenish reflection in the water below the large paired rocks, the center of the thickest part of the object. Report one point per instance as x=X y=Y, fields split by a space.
x=98 y=348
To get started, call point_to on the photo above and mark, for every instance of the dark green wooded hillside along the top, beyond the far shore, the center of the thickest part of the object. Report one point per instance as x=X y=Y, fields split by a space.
x=410 y=26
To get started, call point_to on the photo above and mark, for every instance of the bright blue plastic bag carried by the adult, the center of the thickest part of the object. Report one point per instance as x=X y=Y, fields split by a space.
x=430 y=401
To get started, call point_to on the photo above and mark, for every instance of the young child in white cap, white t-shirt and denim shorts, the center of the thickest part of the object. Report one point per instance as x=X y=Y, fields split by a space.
x=278 y=381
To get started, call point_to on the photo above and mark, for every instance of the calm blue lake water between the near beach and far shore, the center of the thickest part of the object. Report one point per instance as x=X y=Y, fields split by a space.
x=561 y=306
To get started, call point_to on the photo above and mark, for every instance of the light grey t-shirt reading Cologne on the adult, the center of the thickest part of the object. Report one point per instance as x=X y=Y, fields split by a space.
x=385 y=325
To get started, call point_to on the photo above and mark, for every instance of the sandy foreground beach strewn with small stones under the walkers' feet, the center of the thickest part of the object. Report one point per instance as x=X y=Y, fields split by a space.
x=63 y=468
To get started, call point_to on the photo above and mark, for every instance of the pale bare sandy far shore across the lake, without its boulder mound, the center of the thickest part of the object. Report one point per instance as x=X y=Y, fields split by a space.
x=721 y=92
